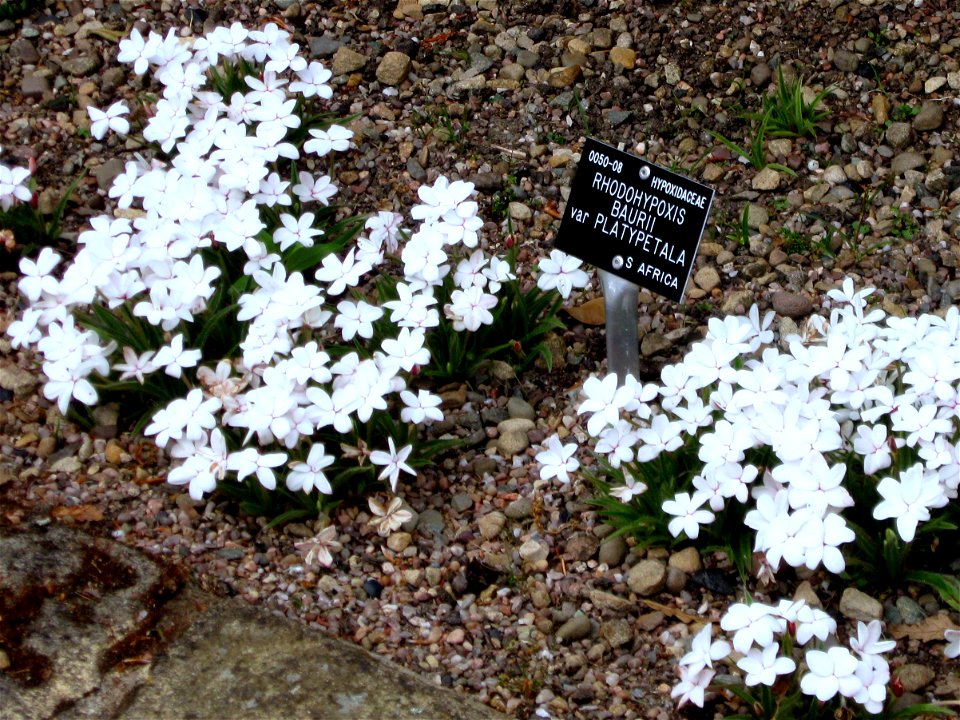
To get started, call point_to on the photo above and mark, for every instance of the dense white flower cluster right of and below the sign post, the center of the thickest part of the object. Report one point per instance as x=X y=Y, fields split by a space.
x=851 y=384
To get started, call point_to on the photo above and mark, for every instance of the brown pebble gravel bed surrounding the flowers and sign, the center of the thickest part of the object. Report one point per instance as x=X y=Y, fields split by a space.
x=502 y=585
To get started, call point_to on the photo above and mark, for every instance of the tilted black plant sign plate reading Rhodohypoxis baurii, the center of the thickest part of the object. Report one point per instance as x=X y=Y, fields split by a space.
x=635 y=219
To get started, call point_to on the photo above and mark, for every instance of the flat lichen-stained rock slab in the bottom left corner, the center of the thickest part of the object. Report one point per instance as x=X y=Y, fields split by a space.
x=92 y=628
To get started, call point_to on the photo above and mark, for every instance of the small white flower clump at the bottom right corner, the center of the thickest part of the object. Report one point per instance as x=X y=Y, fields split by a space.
x=859 y=672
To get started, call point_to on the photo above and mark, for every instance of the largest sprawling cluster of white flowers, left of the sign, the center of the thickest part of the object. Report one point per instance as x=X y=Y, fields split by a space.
x=284 y=386
